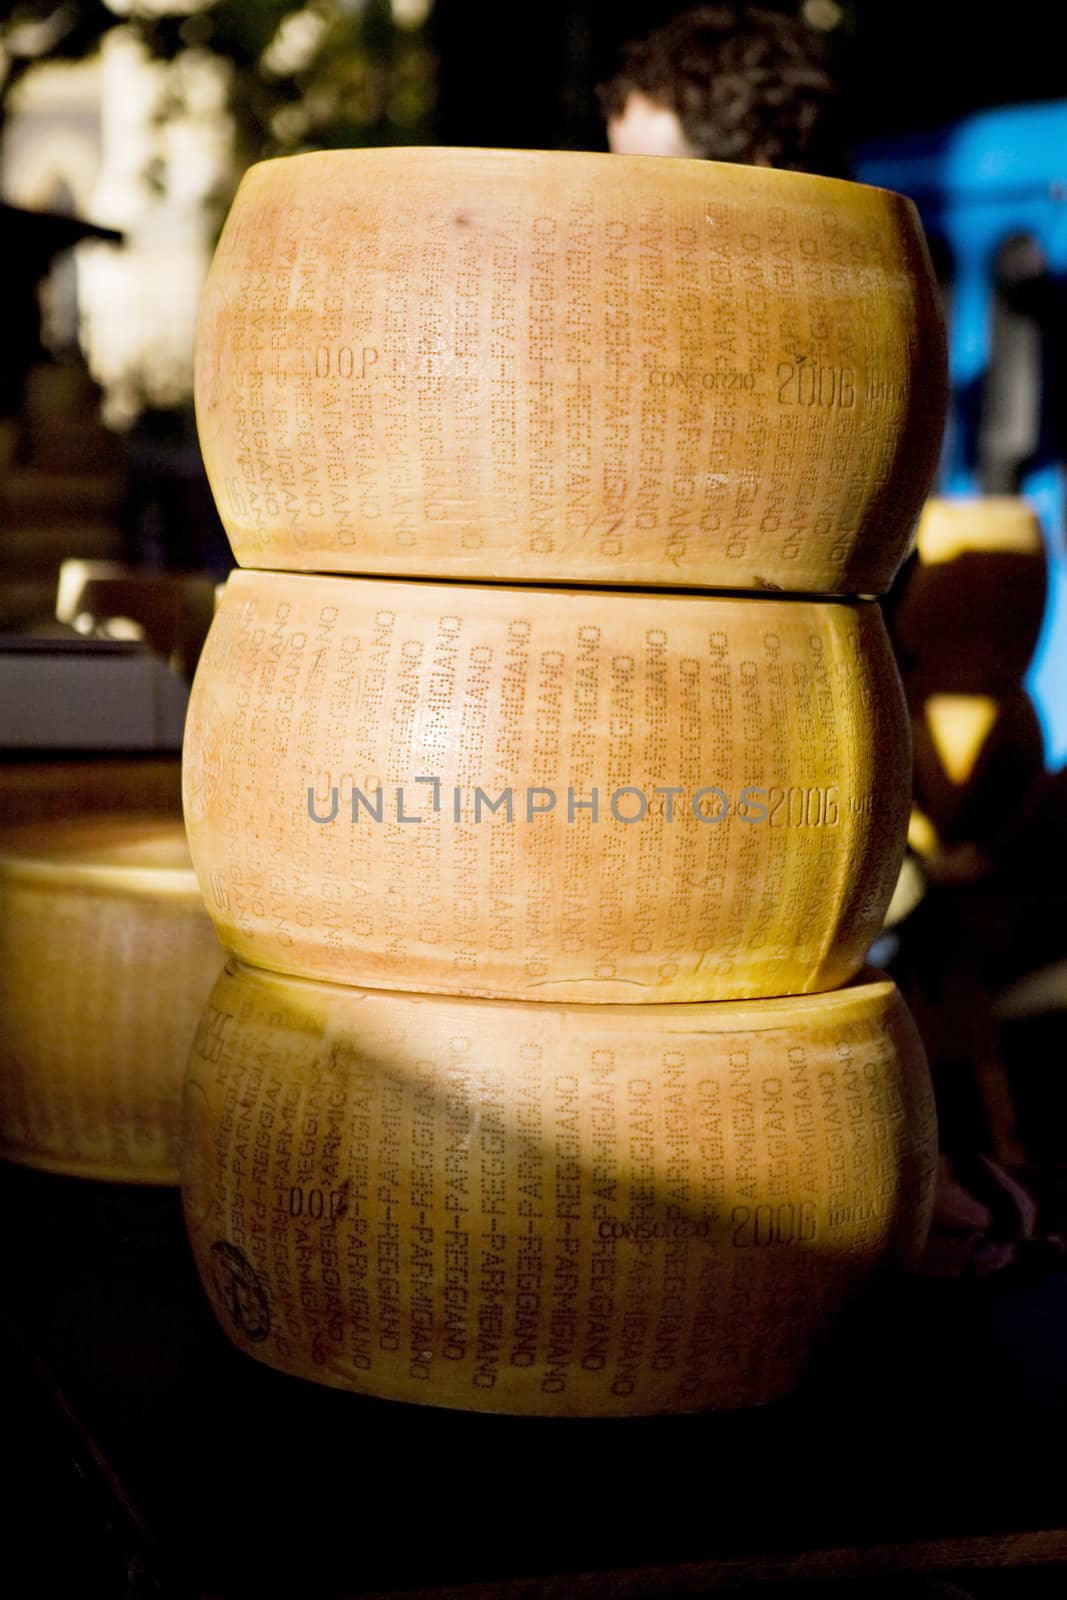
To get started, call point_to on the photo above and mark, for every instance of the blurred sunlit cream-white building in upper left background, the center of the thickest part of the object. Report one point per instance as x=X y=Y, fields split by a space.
x=146 y=148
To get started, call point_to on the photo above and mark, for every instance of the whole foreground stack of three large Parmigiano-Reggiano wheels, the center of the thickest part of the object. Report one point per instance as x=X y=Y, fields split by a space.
x=541 y=756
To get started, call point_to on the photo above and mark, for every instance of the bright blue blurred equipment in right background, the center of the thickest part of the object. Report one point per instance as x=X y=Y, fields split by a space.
x=980 y=185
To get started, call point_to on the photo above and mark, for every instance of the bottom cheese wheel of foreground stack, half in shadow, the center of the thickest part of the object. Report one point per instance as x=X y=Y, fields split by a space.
x=549 y=1209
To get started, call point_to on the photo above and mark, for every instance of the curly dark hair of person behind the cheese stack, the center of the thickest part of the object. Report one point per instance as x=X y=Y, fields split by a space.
x=746 y=84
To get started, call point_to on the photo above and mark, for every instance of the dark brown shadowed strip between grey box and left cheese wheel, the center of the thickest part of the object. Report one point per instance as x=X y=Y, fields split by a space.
x=63 y=786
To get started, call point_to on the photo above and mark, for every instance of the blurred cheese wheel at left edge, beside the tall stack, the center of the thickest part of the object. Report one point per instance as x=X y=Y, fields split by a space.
x=106 y=959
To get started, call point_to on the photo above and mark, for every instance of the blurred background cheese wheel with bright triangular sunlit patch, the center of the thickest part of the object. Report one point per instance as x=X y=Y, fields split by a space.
x=980 y=764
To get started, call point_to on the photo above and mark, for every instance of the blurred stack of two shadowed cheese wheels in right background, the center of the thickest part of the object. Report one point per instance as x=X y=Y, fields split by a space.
x=965 y=628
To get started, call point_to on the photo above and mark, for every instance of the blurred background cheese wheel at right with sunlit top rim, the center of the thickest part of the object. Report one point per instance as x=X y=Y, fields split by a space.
x=972 y=607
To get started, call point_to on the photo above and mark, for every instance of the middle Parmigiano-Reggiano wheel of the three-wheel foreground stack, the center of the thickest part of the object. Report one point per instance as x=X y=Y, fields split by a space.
x=546 y=794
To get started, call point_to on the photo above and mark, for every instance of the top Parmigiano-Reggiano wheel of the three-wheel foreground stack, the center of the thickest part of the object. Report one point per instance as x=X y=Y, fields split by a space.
x=570 y=367
